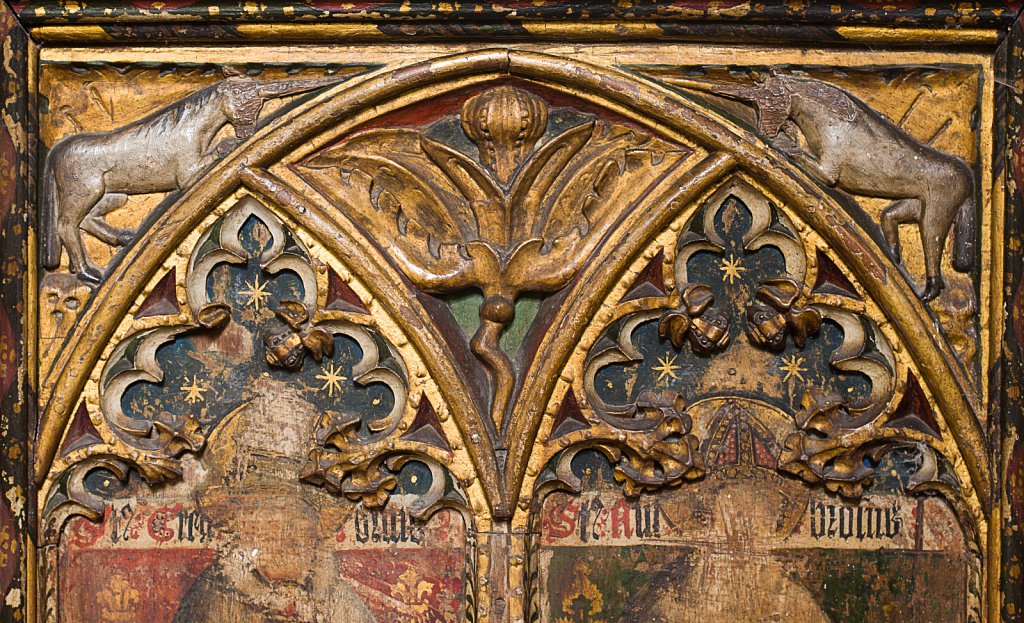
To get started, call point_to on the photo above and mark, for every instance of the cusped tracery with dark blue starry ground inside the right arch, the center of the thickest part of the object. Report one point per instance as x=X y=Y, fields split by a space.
x=826 y=362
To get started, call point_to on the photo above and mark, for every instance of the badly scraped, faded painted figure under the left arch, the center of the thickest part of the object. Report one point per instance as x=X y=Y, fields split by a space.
x=277 y=564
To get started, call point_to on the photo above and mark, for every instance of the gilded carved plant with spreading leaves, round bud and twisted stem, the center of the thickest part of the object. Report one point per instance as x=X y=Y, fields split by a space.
x=516 y=202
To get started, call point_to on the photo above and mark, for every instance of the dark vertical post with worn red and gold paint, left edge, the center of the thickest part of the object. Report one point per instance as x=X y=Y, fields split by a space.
x=17 y=321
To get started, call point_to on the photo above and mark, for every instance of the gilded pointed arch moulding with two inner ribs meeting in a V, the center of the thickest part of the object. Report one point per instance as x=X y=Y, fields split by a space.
x=662 y=111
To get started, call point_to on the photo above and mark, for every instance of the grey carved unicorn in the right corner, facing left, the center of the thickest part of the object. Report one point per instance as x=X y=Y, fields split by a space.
x=855 y=149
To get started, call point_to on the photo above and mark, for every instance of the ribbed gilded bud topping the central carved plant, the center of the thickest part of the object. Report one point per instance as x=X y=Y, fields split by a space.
x=505 y=124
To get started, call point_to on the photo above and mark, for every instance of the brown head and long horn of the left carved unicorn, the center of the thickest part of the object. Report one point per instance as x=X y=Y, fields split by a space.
x=243 y=97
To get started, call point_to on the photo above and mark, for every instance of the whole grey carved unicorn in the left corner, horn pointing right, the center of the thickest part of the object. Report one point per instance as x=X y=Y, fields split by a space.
x=89 y=176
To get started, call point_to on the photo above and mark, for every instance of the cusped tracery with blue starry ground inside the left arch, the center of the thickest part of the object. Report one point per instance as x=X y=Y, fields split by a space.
x=250 y=284
